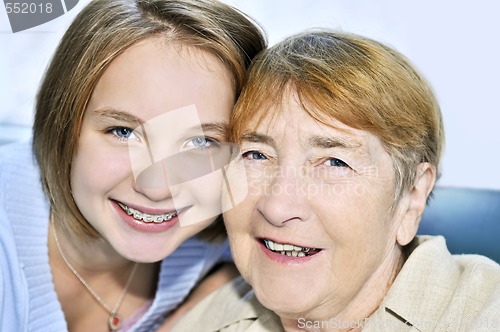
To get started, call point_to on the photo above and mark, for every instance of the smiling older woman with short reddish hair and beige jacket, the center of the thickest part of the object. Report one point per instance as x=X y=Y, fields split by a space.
x=341 y=140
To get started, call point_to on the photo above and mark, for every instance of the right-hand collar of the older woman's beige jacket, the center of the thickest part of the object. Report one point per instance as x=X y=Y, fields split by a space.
x=411 y=301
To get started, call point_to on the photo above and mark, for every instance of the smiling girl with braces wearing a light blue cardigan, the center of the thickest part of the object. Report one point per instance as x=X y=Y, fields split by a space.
x=90 y=207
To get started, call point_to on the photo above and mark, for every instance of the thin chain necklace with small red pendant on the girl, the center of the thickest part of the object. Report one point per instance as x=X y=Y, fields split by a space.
x=114 y=320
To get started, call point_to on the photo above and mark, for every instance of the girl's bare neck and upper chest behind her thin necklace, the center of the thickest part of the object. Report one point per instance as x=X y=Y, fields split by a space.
x=105 y=271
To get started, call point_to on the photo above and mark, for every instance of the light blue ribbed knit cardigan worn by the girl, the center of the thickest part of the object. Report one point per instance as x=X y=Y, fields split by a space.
x=28 y=301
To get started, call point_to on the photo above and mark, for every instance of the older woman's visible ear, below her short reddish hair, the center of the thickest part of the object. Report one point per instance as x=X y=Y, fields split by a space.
x=417 y=199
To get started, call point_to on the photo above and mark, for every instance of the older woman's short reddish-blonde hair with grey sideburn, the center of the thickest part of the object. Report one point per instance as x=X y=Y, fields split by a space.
x=358 y=81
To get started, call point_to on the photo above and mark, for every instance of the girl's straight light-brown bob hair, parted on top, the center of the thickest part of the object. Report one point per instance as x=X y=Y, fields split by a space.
x=100 y=33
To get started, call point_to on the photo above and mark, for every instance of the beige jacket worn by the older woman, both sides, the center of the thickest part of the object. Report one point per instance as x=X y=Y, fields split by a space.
x=434 y=291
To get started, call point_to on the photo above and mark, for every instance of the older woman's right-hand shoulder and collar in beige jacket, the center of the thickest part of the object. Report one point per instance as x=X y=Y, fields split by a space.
x=436 y=290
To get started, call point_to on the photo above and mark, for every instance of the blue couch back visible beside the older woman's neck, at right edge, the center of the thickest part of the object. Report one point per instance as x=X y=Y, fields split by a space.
x=469 y=219
